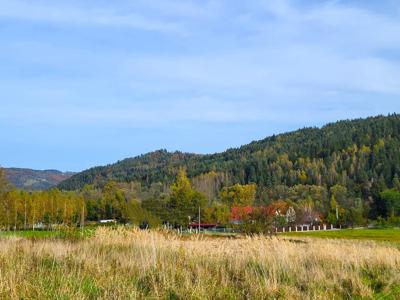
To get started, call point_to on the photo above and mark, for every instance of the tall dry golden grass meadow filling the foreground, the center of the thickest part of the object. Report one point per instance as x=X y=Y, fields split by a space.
x=130 y=264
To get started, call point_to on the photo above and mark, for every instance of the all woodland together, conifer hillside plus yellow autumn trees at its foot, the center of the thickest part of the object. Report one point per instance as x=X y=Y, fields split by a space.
x=343 y=174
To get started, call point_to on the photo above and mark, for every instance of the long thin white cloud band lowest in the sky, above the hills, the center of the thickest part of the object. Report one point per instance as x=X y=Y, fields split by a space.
x=148 y=114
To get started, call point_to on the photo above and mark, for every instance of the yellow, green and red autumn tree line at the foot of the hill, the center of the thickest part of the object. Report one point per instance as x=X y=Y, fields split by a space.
x=178 y=204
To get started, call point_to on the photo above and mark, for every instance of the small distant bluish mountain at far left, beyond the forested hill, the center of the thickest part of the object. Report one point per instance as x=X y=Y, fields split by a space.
x=31 y=180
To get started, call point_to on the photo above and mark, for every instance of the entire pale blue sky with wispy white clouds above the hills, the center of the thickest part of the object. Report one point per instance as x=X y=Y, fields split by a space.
x=90 y=82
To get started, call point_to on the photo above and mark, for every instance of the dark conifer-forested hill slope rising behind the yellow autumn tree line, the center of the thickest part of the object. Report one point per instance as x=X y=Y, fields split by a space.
x=360 y=154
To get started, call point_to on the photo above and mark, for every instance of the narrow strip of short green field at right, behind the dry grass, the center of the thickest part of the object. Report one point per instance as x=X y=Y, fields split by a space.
x=381 y=235
